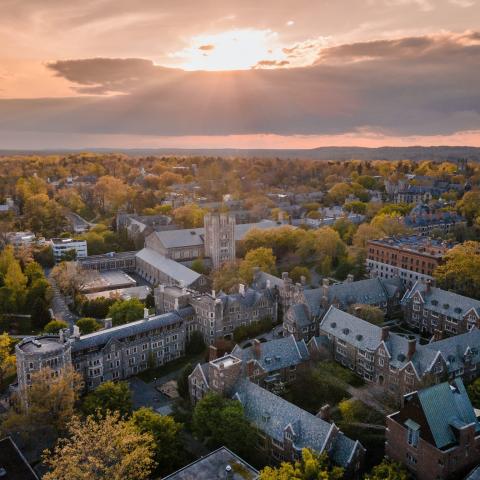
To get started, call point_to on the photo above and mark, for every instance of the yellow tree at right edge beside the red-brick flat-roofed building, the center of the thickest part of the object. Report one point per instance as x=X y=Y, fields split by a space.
x=461 y=270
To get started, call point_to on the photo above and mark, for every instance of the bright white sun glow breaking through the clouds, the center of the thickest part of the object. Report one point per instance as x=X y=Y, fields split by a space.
x=238 y=49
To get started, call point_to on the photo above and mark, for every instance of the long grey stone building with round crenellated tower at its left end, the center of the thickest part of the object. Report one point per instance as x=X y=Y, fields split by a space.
x=114 y=353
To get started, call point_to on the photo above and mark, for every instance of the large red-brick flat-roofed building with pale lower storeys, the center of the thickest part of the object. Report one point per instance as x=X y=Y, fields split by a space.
x=411 y=257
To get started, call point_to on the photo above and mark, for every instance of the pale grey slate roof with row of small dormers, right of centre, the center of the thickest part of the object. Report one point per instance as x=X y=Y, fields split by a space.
x=353 y=330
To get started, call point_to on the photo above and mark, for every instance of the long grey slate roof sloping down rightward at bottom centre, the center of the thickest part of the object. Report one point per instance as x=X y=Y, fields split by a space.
x=272 y=414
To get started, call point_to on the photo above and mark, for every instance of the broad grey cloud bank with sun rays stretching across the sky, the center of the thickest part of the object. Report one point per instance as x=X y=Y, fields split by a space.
x=410 y=86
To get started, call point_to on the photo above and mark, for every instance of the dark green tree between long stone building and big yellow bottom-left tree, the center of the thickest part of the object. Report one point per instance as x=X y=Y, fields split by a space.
x=109 y=397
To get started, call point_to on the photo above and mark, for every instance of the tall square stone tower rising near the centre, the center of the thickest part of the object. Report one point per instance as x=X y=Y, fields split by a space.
x=219 y=238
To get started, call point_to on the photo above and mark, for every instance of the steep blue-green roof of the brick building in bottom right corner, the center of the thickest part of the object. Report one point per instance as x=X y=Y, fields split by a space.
x=446 y=406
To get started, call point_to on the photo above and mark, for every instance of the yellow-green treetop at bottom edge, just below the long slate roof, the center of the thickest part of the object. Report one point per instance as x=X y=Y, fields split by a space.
x=311 y=466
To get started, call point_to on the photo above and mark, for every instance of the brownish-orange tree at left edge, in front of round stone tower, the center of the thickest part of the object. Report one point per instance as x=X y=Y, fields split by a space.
x=44 y=408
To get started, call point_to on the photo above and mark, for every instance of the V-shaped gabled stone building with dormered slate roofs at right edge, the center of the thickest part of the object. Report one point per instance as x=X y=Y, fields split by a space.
x=399 y=364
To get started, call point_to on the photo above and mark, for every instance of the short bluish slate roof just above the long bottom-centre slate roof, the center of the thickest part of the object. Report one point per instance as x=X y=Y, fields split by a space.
x=275 y=354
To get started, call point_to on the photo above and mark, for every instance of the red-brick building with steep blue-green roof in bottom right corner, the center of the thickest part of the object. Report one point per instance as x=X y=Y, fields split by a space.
x=436 y=434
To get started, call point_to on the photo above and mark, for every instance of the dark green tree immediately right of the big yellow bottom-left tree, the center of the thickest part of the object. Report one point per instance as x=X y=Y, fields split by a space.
x=166 y=436
